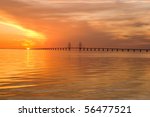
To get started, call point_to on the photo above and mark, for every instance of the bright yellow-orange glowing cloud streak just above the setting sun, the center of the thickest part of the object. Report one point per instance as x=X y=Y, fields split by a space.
x=9 y=26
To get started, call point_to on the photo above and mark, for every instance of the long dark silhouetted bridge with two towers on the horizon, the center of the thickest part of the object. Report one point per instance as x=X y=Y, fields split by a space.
x=81 y=48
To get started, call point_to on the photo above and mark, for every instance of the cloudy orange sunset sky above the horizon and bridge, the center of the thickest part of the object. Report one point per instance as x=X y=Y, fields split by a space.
x=54 y=23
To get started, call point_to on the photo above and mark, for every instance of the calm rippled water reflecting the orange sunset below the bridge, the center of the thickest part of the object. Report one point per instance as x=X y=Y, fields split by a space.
x=39 y=74
